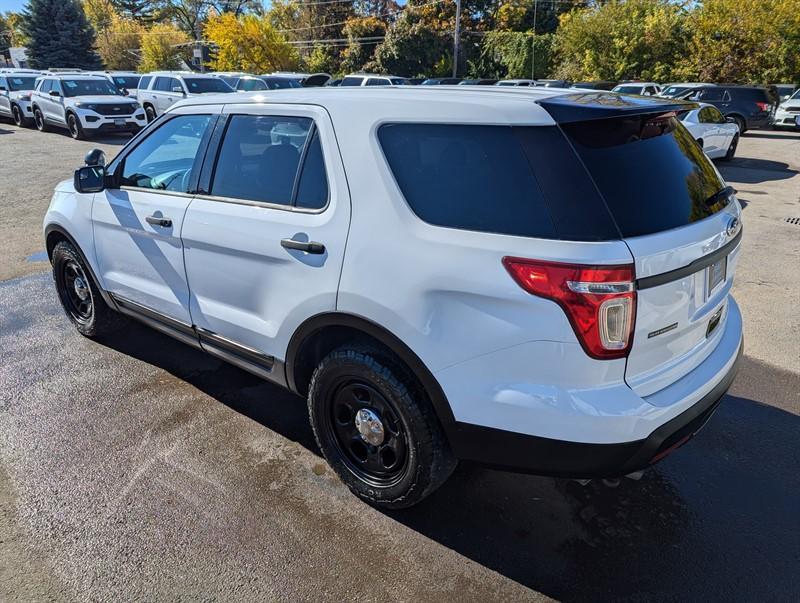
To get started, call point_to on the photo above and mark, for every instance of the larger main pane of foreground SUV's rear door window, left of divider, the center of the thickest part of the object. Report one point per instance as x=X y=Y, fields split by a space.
x=259 y=158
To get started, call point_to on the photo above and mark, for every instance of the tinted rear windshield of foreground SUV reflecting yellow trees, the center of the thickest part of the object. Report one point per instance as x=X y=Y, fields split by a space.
x=651 y=173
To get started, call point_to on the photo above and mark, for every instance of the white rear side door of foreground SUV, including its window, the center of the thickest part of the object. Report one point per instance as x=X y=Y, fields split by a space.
x=264 y=248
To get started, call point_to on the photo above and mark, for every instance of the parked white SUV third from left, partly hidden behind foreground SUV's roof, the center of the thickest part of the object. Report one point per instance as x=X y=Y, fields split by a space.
x=159 y=90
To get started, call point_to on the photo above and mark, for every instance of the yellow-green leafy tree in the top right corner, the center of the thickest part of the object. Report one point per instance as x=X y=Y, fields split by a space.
x=744 y=41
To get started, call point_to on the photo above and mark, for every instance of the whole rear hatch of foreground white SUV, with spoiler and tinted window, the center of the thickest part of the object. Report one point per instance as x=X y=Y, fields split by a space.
x=677 y=217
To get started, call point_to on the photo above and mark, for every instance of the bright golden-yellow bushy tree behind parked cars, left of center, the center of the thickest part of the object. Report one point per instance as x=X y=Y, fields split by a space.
x=248 y=43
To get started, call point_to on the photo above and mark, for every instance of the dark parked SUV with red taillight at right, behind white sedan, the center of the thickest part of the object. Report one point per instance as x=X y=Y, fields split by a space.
x=748 y=106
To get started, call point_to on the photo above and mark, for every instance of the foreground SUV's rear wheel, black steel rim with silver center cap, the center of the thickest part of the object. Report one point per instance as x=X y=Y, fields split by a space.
x=410 y=456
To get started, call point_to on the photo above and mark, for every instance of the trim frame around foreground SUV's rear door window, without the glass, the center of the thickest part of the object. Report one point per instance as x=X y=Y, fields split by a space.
x=209 y=168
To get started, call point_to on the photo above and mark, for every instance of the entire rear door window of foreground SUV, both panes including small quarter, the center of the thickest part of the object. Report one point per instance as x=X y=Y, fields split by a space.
x=260 y=159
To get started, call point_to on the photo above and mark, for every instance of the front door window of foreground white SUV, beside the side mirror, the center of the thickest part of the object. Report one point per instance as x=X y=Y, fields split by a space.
x=164 y=160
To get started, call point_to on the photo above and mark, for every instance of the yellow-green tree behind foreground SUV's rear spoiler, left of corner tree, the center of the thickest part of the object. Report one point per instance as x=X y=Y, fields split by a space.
x=621 y=39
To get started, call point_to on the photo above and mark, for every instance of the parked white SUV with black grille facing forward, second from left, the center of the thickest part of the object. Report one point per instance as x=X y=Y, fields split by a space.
x=85 y=105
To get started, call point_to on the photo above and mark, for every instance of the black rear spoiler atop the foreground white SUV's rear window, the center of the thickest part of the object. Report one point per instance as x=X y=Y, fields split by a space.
x=585 y=106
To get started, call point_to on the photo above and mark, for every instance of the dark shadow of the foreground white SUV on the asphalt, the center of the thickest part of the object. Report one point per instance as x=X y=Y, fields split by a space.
x=718 y=519
